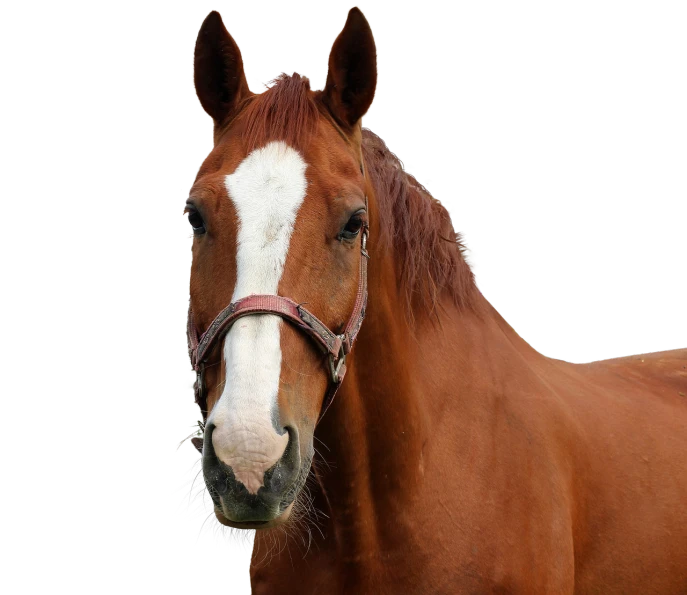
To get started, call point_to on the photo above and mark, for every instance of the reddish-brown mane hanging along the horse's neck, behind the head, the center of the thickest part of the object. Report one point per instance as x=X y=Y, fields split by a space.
x=432 y=256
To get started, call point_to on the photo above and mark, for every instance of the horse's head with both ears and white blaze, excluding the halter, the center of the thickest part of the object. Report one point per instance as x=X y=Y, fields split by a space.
x=277 y=207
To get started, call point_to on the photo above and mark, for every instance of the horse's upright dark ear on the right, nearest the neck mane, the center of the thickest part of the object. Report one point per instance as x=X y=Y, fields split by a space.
x=352 y=70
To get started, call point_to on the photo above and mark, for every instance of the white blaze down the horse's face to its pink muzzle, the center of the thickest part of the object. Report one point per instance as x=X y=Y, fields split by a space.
x=267 y=190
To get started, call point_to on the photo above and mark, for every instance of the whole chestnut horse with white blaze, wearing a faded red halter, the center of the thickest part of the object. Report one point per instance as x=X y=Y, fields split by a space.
x=328 y=288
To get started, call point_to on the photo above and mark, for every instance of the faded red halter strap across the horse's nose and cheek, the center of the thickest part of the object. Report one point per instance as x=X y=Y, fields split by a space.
x=337 y=347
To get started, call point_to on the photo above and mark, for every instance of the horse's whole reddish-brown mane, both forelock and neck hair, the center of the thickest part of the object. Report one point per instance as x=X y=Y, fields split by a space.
x=433 y=257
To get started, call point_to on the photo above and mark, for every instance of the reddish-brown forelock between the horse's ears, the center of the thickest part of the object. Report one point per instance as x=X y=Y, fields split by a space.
x=283 y=110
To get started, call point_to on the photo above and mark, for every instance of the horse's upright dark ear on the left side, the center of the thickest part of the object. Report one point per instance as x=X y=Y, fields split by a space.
x=219 y=78
